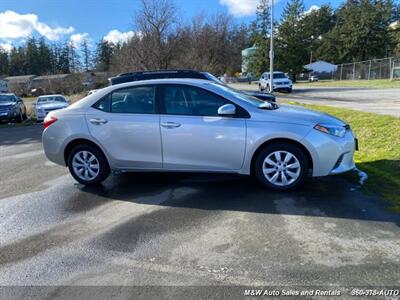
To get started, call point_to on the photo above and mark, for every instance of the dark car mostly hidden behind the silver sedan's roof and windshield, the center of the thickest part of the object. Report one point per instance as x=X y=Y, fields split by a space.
x=147 y=75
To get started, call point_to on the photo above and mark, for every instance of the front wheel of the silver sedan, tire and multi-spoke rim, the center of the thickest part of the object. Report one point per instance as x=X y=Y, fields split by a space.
x=295 y=177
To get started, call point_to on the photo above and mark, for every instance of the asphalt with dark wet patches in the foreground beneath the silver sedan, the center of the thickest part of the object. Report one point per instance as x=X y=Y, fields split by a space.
x=184 y=229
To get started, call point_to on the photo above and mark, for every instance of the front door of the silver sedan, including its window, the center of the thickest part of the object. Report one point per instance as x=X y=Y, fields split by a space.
x=193 y=136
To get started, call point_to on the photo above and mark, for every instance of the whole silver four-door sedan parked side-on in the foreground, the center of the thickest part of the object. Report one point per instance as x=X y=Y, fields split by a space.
x=193 y=125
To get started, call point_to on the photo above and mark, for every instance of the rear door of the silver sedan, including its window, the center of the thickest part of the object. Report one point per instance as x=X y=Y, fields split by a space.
x=126 y=124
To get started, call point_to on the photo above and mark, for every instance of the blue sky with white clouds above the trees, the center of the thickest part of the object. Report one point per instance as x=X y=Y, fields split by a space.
x=95 y=19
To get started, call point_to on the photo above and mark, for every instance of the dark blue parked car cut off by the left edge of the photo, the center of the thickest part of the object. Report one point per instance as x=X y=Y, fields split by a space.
x=12 y=108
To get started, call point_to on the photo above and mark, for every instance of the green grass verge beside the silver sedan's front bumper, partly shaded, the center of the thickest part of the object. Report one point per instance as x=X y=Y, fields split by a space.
x=379 y=154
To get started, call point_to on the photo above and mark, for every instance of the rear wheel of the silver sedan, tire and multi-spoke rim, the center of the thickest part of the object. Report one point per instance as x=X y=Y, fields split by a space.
x=76 y=162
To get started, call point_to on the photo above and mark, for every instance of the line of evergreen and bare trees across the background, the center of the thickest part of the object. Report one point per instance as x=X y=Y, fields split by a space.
x=357 y=30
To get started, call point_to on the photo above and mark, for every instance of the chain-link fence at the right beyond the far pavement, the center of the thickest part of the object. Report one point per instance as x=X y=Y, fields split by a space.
x=385 y=68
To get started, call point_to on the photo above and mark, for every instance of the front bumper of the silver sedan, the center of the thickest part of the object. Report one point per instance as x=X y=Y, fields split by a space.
x=330 y=154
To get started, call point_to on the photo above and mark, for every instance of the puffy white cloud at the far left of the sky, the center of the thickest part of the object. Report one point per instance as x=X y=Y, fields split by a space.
x=16 y=26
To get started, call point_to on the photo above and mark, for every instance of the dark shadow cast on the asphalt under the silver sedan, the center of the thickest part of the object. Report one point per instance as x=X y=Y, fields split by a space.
x=331 y=197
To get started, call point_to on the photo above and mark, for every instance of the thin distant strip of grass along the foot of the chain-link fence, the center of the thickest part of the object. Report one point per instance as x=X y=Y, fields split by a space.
x=377 y=83
